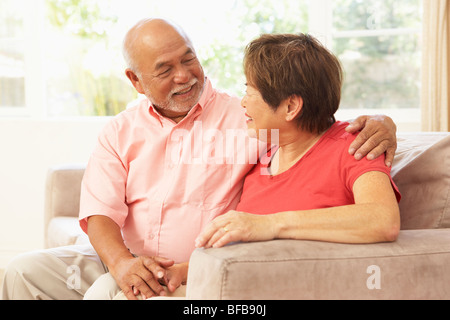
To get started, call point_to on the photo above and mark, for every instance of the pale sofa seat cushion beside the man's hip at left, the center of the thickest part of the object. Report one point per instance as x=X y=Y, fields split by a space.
x=65 y=231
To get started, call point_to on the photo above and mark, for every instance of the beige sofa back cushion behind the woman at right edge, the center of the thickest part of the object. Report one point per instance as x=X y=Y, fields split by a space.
x=421 y=170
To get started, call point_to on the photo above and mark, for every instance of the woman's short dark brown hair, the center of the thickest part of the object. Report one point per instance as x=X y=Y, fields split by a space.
x=283 y=65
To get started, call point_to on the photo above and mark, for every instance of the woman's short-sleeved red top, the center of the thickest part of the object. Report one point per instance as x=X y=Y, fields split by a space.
x=322 y=178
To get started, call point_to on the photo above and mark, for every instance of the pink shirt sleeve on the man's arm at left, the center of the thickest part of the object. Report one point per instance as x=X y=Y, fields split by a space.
x=104 y=182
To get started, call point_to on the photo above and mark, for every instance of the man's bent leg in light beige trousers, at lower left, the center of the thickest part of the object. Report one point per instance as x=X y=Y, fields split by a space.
x=64 y=273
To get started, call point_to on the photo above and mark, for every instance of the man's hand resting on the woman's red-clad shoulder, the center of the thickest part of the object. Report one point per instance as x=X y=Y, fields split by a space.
x=377 y=136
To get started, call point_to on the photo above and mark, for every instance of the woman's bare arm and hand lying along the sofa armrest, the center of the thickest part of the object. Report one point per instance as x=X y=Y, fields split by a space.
x=373 y=218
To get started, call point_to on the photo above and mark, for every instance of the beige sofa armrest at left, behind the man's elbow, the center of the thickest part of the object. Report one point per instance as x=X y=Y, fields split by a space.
x=62 y=192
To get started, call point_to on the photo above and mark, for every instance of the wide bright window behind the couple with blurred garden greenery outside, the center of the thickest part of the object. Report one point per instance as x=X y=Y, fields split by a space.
x=377 y=41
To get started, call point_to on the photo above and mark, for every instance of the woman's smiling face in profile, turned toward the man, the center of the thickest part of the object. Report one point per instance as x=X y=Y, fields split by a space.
x=261 y=118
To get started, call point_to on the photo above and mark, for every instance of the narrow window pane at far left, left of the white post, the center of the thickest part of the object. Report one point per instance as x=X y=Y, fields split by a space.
x=21 y=81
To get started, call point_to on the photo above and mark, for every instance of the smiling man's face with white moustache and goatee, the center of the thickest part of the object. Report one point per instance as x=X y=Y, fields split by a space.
x=172 y=77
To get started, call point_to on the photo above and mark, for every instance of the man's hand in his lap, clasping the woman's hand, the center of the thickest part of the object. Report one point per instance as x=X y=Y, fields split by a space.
x=141 y=275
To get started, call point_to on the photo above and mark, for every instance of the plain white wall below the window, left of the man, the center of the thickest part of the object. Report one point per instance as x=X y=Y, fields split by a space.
x=27 y=149
